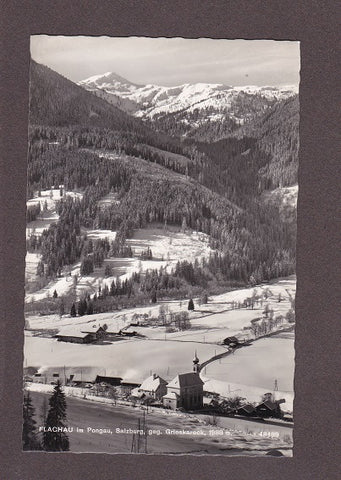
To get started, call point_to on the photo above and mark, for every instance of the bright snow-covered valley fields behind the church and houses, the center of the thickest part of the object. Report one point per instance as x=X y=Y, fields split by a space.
x=253 y=370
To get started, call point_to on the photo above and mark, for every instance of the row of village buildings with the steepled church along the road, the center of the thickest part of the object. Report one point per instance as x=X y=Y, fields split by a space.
x=183 y=391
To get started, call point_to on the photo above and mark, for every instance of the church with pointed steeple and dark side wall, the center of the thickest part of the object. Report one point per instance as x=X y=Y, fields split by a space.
x=185 y=390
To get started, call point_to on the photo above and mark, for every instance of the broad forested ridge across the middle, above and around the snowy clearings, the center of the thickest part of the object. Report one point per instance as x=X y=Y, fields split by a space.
x=252 y=242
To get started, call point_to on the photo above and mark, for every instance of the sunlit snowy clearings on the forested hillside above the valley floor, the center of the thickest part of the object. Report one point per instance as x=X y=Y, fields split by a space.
x=168 y=247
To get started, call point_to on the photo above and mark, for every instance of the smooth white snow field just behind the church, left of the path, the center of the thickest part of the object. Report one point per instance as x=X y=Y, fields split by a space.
x=133 y=360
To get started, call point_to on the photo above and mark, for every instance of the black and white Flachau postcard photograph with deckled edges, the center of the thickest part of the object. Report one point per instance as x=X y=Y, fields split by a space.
x=160 y=273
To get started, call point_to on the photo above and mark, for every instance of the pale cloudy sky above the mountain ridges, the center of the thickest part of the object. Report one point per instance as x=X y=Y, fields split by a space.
x=171 y=61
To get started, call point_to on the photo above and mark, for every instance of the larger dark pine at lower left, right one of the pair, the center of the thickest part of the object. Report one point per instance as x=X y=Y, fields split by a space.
x=58 y=440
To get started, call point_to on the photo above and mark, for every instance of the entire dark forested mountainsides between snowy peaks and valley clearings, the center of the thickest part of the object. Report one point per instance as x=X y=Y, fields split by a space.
x=81 y=142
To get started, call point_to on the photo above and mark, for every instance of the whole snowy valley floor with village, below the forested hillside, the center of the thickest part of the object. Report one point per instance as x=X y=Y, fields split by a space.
x=143 y=373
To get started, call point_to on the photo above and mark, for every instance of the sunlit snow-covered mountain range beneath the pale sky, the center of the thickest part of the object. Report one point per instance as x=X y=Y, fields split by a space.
x=190 y=104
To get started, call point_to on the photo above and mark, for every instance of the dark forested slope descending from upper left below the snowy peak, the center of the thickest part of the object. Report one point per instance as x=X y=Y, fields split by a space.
x=57 y=102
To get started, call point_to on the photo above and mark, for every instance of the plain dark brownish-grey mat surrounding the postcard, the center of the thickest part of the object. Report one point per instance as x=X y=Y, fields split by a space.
x=314 y=24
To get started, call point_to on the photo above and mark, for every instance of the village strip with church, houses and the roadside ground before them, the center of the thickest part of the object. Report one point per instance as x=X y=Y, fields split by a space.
x=185 y=392
